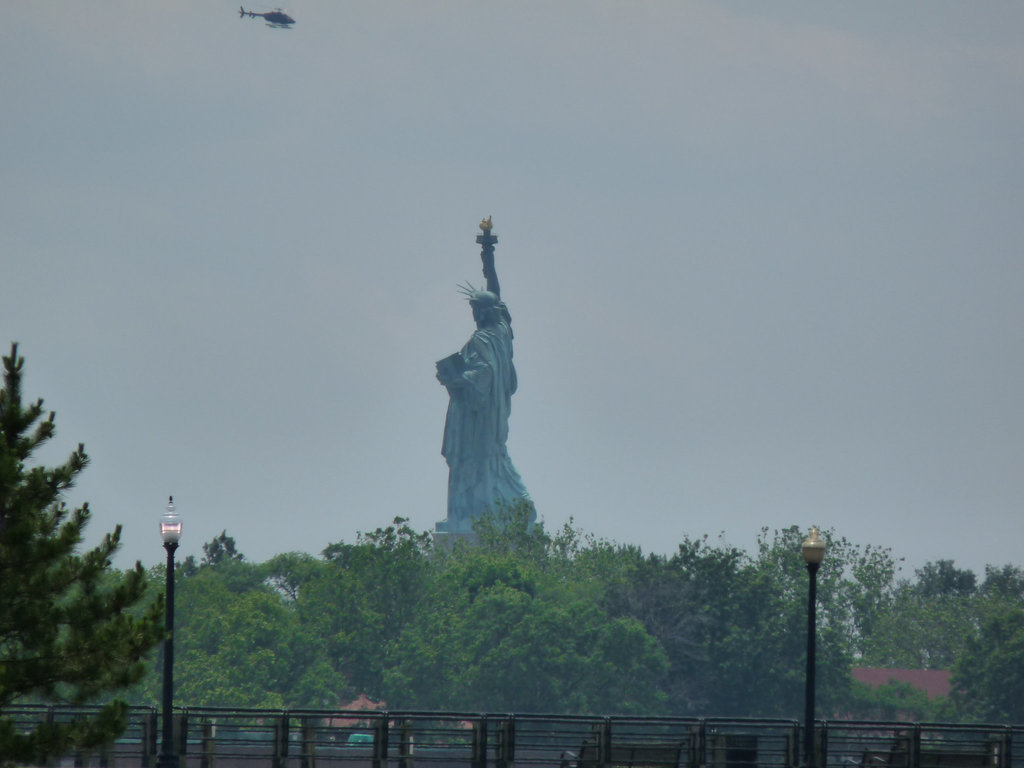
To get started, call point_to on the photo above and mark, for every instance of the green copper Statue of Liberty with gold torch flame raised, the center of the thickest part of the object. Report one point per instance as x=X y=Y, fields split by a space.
x=481 y=380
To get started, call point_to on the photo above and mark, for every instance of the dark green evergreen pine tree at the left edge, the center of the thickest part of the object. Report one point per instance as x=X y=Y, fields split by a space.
x=73 y=630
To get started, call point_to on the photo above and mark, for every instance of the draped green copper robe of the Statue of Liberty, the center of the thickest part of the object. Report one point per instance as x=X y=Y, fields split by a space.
x=481 y=473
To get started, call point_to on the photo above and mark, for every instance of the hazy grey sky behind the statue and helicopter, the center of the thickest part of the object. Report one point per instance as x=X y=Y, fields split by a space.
x=763 y=261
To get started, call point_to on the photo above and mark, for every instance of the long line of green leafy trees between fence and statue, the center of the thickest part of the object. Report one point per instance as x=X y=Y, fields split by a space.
x=531 y=621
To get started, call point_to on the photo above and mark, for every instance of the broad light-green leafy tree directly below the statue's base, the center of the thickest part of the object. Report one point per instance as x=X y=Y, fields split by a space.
x=508 y=628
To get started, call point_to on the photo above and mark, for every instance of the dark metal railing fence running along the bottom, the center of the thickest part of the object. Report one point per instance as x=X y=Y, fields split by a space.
x=211 y=738
